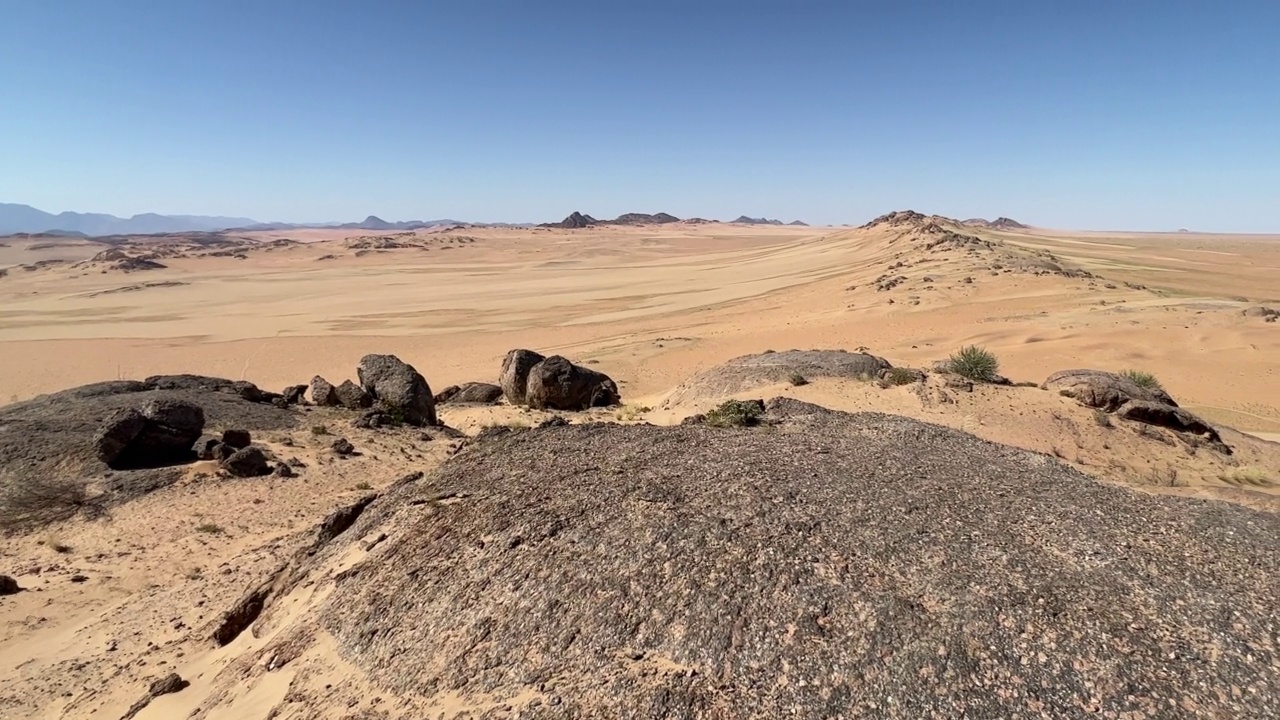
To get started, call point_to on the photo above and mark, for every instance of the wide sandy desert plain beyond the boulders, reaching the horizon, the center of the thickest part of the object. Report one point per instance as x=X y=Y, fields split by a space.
x=652 y=306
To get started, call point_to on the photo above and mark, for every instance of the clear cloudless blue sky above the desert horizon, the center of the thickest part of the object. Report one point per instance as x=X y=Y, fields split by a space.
x=1080 y=115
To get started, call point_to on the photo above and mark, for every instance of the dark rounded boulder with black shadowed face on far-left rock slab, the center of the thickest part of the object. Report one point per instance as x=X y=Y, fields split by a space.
x=162 y=434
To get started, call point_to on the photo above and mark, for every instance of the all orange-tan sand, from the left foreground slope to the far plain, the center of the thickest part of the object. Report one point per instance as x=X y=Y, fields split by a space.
x=651 y=307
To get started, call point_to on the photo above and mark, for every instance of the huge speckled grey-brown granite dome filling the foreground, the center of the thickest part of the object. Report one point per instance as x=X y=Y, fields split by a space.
x=836 y=566
